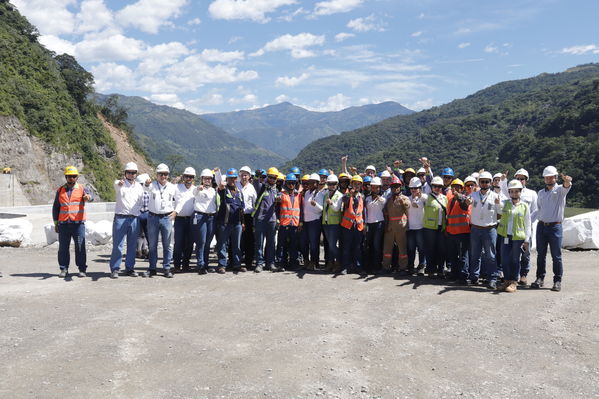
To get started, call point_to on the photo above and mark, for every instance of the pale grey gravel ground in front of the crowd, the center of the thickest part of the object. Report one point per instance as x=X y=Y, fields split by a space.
x=289 y=336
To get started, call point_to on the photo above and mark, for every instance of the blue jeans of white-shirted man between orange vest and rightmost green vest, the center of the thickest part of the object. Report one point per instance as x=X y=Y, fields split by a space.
x=482 y=253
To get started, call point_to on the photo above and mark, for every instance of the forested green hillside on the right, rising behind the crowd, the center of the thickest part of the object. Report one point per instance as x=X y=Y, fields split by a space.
x=551 y=119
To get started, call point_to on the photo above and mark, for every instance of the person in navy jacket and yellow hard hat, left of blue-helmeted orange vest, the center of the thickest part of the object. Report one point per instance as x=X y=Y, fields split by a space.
x=265 y=223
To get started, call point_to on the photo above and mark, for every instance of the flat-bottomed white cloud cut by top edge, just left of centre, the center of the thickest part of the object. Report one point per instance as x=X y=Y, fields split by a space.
x=255 y=10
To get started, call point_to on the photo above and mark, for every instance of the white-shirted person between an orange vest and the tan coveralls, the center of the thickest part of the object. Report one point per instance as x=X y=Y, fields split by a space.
x=374 y=203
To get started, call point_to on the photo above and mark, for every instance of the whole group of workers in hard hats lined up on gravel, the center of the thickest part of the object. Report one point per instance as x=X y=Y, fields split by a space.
x=408 y=222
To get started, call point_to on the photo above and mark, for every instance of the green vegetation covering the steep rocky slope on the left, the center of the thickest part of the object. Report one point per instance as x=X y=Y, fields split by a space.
x=49 y=94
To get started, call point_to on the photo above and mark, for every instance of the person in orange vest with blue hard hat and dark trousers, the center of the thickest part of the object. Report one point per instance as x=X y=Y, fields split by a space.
x=288 y=213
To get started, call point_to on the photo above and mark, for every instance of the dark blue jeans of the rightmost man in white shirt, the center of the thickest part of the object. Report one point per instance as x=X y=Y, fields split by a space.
x=552 y=236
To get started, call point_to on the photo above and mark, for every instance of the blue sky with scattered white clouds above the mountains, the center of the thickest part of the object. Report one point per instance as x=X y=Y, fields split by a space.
x=224 y=55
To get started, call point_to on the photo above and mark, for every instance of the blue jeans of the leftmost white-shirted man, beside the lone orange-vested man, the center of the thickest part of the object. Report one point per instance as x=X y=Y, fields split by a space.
x=124 y=227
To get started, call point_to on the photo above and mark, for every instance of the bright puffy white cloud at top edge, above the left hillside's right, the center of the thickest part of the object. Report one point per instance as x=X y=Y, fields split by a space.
x=149 y=15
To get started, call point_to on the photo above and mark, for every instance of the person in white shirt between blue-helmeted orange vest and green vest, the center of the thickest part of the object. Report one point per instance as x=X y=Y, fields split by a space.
x=312 y=206
